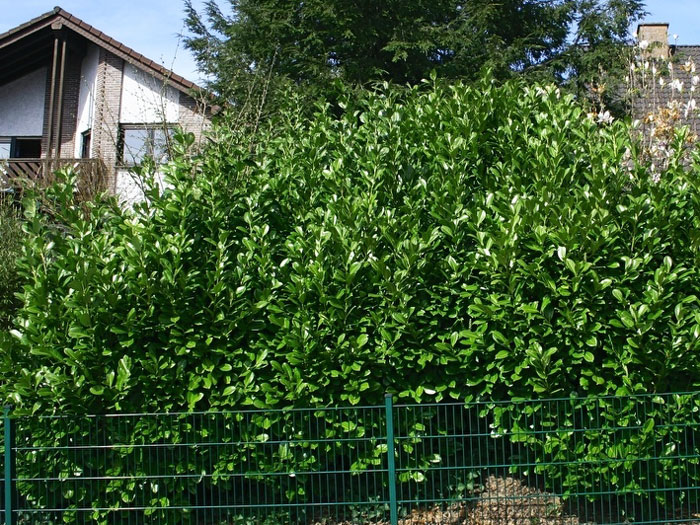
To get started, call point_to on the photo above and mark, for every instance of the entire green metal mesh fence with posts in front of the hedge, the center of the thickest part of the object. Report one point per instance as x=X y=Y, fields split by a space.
x=609 y=460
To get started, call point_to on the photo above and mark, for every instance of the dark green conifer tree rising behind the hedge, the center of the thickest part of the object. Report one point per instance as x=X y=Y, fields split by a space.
x=252 y=44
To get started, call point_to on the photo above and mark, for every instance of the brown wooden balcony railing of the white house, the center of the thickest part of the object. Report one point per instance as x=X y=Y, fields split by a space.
x=17 y=174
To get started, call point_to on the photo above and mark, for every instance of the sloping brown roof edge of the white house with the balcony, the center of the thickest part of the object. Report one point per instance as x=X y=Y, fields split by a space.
x=31 y=31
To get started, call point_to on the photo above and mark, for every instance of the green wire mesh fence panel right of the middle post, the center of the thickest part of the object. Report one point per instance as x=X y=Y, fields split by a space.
x=610 y=460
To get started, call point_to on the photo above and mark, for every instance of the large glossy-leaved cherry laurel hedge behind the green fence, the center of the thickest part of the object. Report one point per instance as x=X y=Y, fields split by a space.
x=442 y=243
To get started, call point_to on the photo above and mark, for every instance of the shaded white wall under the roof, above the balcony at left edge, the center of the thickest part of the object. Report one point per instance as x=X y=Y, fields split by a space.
x=22 y=106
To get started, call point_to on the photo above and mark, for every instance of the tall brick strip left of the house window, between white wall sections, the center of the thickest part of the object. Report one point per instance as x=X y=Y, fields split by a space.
x=105 y=131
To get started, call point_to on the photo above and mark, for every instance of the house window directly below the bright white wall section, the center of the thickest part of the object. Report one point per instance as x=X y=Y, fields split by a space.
x=138 y=142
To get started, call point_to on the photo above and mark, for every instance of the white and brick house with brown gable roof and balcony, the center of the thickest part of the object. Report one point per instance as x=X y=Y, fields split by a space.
x=69 y=94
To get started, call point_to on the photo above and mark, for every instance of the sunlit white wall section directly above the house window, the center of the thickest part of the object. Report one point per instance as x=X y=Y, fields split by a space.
x=145 y=100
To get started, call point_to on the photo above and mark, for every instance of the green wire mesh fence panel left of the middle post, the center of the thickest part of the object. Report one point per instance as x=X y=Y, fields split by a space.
x=303 y=466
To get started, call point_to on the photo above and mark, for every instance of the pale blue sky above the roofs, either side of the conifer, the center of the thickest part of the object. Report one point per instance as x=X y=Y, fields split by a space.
x=151 y=27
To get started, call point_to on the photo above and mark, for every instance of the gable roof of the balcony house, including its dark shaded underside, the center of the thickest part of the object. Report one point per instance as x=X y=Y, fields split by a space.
x=26 y=47
